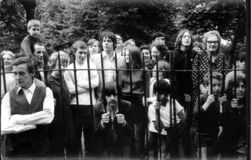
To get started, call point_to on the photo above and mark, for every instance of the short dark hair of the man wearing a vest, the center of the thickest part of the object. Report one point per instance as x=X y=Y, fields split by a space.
x=25 y=60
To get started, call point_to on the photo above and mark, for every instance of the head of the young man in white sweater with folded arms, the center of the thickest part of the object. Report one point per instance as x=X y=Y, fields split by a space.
x=80 y=50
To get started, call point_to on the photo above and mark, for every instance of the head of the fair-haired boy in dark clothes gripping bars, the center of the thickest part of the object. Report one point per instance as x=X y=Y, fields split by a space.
x=216 y=85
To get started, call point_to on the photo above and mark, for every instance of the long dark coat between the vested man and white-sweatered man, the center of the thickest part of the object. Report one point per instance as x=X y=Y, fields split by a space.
x=61 y=130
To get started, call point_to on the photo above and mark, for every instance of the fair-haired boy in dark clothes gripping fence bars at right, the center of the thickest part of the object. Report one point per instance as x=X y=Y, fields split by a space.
x=208 y=110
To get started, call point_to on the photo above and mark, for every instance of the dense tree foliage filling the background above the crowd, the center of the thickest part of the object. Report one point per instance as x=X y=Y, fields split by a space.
x=69 y=20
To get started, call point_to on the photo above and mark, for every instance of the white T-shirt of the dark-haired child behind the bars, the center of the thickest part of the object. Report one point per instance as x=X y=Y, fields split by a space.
x=164 y=115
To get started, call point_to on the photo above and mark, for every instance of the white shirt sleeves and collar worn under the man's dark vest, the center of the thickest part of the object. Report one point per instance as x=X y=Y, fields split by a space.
x=20 y=123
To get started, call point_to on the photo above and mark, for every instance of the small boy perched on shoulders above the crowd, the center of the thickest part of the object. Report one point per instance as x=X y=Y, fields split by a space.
x=27 y=44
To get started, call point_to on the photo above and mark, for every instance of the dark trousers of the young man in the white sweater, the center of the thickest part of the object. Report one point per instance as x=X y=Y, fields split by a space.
x=83 y=121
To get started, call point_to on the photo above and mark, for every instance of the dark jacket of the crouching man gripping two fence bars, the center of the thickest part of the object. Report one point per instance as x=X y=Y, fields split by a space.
x=113 y=137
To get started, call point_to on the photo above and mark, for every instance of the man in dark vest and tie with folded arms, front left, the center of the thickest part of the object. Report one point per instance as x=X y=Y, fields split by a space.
x=26 y=109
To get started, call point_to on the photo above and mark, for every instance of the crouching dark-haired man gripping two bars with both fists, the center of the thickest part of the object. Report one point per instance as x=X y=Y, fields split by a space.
x=113 y=124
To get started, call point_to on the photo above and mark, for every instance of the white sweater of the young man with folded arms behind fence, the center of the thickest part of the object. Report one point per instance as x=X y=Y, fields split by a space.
x=82 y=82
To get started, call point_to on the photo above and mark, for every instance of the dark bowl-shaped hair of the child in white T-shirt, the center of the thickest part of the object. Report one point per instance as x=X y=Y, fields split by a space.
x=162 y=87
